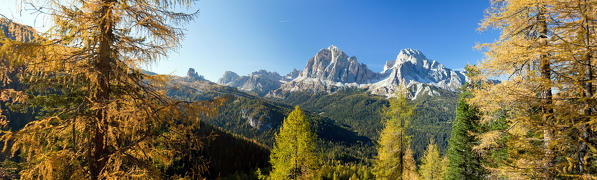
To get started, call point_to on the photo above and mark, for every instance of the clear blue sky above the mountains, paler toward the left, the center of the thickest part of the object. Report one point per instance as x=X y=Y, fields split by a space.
x=278 y=35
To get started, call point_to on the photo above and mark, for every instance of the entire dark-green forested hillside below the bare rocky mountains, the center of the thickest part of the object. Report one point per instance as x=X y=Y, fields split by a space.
x=347 y=121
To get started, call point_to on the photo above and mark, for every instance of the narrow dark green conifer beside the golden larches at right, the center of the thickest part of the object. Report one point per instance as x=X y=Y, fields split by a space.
x=462 y=161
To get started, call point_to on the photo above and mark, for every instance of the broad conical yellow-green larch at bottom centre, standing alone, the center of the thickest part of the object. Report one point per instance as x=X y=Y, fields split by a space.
x=294 y=153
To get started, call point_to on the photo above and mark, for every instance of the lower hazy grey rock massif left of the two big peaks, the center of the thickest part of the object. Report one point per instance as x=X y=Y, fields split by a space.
x=260 y=82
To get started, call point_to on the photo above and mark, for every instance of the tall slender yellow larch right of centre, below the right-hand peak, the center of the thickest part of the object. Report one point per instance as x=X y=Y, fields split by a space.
x=394 y=157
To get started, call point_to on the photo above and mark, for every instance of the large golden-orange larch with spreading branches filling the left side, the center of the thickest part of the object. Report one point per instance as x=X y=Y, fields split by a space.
x=102 y=117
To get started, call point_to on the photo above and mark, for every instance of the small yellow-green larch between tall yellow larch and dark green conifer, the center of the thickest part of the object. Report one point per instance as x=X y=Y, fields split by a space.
x=431 y=164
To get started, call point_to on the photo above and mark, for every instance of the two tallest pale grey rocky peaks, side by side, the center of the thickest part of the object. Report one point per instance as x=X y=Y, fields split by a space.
x=331 y=69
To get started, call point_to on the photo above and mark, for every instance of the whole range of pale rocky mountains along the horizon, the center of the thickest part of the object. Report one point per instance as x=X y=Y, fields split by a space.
x=332 y=69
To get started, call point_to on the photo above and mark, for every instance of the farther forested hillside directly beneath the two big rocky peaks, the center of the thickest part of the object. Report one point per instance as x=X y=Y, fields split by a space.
x=360 y=112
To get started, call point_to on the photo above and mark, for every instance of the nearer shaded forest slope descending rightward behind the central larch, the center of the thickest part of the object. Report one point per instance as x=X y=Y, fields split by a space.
x=259 y=119
